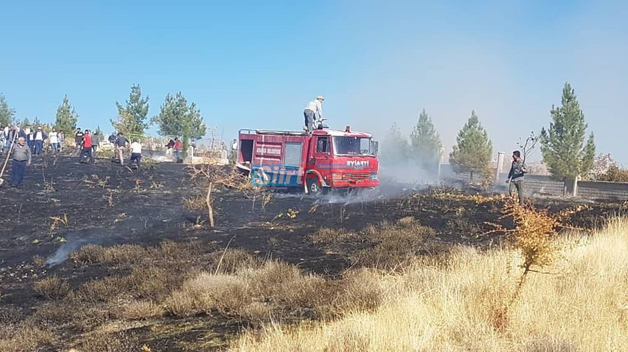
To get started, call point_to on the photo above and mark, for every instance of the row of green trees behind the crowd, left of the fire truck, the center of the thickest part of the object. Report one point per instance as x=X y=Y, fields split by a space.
x=177 y=117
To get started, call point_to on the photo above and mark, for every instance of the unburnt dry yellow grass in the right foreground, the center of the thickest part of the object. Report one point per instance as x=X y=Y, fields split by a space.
x=578 y=303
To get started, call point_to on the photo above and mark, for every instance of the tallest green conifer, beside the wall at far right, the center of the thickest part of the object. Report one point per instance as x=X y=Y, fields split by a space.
x=563 y=146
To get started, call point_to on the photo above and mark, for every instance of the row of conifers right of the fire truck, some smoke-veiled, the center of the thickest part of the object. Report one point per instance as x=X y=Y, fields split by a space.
x=567 y=152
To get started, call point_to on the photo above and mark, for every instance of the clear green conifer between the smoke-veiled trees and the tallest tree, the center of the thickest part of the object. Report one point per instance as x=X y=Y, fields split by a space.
x=473 y=149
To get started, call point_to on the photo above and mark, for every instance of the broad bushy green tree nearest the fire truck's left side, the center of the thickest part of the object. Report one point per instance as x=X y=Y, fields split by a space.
x=178 y=118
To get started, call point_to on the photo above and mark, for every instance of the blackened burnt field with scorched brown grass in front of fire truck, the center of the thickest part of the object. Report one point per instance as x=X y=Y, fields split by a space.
x=191 y=263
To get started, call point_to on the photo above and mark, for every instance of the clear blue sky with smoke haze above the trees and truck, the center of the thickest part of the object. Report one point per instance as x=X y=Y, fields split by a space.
x=255 y=64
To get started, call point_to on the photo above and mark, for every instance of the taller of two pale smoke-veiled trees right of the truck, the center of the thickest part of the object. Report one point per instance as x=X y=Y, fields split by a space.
x=426 y=143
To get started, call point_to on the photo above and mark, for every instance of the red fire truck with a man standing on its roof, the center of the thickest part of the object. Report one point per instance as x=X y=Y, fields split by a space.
x=317 y=161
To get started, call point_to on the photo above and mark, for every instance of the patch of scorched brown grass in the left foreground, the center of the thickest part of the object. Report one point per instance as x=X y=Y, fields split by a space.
x=168 y=284
